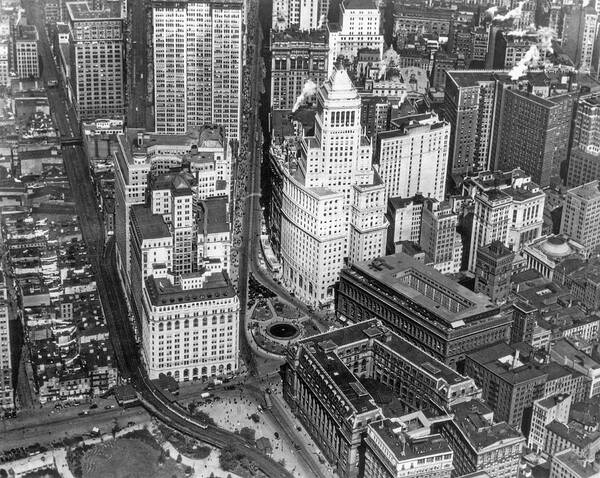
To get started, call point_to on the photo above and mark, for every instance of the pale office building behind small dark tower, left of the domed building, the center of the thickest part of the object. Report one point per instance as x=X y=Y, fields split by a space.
x=509 y=208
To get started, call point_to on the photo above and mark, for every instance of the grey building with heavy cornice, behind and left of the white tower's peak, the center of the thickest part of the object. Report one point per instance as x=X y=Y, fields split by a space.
x=295 y=58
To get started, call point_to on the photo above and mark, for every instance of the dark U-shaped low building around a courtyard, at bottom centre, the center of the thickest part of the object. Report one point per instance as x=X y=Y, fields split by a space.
x=326 y=378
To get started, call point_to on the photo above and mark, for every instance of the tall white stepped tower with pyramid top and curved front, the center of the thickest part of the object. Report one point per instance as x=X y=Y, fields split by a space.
x=332 y=200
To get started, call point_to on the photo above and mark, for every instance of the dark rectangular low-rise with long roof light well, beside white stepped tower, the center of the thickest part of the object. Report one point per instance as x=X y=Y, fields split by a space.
x=421 y=305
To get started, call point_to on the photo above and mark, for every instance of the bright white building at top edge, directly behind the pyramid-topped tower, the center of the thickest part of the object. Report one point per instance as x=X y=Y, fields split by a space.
x=359 y=29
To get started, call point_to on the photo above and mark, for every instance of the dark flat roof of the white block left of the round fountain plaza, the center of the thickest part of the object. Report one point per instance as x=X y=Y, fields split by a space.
x=162 y=292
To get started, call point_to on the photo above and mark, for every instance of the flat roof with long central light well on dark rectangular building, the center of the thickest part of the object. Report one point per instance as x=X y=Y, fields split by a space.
x=442 y=297
